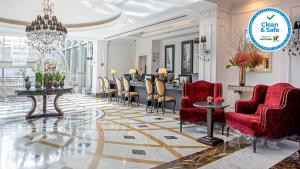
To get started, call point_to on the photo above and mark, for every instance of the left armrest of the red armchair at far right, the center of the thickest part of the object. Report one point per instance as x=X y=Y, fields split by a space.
x=246 y=107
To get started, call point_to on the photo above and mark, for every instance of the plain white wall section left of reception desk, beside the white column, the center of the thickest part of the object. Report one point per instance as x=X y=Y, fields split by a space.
x=120 y=56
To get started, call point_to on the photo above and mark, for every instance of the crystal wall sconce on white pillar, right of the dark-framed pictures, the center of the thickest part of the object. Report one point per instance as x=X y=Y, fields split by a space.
x=202 y=50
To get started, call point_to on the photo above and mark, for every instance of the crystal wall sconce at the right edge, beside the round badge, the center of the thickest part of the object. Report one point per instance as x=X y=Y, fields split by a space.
x=293 y=47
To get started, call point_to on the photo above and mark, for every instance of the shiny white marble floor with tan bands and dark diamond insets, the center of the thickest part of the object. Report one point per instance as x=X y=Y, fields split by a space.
x=96 y=134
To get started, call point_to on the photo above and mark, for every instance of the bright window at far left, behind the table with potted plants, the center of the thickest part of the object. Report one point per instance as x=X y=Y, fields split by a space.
x=14 y=54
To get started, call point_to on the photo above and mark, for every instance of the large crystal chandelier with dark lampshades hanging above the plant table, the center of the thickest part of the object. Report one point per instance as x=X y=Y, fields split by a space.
x=46 y=33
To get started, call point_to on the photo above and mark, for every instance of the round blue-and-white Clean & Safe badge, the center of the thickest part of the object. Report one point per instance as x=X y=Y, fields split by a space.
x=270 y=29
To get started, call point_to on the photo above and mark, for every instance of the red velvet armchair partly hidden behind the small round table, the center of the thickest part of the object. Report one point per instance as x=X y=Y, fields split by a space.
x=199 y=91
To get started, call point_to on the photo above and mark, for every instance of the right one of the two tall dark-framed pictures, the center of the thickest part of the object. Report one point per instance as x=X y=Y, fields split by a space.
x=187 y=57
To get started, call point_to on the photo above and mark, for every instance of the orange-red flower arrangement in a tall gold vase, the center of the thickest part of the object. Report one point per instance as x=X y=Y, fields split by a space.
x=247 y=56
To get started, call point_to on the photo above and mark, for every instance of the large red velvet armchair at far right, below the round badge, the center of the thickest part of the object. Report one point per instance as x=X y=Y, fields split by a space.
x=272 y=113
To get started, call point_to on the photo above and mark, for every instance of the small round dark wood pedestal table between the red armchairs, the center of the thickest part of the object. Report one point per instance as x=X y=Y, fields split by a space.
x=210 y=139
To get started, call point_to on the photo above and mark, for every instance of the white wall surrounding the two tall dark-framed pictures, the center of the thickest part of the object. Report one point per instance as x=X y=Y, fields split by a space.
x=177 y=42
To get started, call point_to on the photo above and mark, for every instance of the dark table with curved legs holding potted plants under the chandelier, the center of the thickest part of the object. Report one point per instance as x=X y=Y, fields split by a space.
x=32 y=93
